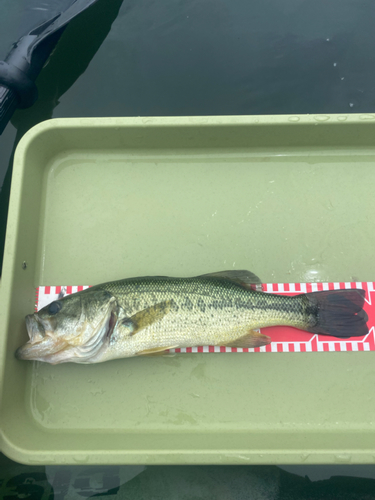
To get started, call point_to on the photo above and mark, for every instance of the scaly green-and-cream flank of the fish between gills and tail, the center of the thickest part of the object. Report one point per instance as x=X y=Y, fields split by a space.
x=205 y=311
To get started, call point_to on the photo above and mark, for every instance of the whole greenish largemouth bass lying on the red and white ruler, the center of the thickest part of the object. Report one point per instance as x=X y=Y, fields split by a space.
x=151 y=315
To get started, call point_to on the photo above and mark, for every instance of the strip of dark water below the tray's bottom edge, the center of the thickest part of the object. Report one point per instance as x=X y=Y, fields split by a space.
x=200 y=482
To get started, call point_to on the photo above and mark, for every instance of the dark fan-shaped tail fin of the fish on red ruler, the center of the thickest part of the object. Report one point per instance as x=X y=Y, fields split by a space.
x=338 y=313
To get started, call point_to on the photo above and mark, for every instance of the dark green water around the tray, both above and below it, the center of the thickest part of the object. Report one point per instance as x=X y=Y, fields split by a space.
x=194 y=57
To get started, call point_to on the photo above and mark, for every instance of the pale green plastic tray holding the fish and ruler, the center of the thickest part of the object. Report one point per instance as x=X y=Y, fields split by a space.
x=289 y=198
